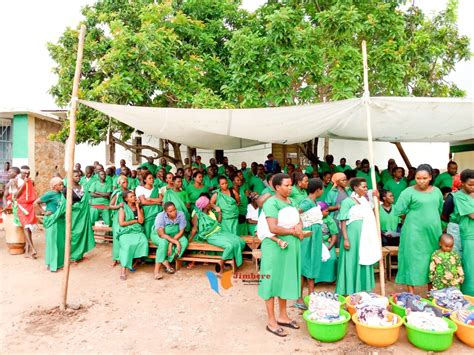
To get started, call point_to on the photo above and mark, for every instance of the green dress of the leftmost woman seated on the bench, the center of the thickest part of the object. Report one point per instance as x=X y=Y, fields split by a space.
x=132 y=241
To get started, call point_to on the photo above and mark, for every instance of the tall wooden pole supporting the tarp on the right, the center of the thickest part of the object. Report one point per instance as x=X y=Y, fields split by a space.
x=371 y=157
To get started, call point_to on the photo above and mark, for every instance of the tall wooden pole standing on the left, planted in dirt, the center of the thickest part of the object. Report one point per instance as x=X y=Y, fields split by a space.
x=70 y=159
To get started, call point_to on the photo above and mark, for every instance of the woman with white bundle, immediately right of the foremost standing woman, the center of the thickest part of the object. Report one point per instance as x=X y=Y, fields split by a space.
x=311 y=247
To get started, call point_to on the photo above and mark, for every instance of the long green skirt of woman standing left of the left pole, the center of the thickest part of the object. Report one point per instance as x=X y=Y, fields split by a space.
x=55 y=244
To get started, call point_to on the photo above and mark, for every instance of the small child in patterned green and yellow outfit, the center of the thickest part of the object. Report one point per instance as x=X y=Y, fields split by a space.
x=445 y=267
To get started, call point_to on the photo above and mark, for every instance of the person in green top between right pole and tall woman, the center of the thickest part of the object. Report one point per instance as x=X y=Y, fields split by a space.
x=389 y=222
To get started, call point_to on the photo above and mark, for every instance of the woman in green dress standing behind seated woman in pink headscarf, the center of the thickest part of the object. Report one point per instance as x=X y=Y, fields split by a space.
x=228 y=201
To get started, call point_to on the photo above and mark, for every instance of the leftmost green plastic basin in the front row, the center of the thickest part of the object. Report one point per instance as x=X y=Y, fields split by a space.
x=328 y=332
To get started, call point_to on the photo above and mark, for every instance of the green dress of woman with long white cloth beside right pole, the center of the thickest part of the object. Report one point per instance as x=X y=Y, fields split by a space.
x=351 y=276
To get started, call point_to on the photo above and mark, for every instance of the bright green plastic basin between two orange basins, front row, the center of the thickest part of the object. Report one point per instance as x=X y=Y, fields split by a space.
x=431 y=341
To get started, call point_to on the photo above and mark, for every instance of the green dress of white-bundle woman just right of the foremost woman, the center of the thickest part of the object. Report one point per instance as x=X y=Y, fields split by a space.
x=311 y=247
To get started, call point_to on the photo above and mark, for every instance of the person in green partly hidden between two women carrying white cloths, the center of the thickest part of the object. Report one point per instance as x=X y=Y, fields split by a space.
x=328 y=270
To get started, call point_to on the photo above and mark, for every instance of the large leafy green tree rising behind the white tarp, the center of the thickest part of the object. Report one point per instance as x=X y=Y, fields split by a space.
x=211 y=53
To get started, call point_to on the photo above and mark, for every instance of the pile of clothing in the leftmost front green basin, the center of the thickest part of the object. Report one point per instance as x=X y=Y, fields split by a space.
x=324 y=307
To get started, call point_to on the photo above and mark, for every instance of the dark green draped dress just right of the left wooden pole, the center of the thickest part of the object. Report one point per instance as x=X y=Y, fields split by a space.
x=82 y=237
